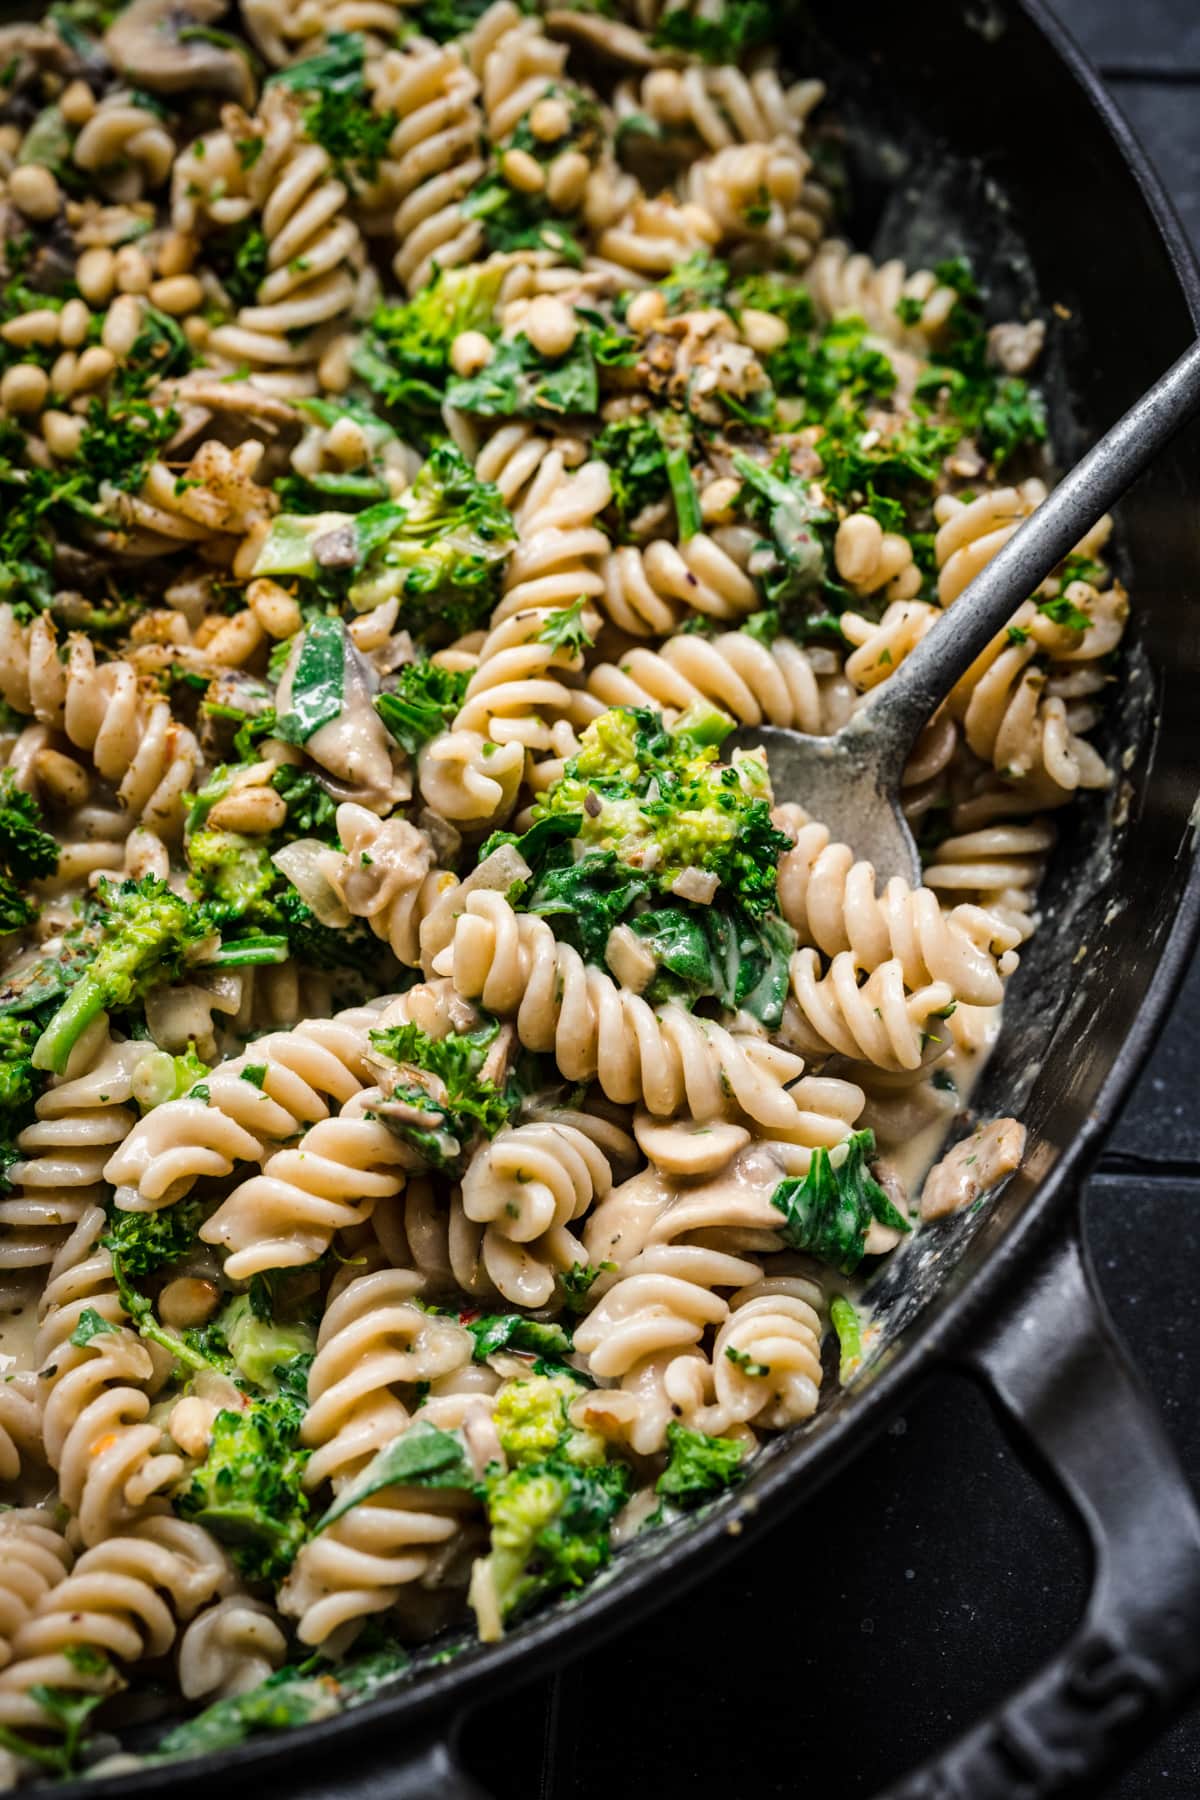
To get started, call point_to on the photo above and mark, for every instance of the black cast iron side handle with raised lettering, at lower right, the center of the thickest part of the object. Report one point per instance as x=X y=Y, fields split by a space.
x=1070 y=1396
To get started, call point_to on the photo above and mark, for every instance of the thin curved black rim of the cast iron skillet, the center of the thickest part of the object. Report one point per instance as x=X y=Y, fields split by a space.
x=809 y=1462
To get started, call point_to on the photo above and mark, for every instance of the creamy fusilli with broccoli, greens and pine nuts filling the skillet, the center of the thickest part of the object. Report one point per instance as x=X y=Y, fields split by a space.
x=451 y=1101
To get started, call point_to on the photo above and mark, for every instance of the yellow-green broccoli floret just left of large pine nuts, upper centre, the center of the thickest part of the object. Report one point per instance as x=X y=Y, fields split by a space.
x=406 y=352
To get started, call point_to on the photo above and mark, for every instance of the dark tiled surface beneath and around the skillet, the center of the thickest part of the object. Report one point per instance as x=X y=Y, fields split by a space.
x=890 y=1612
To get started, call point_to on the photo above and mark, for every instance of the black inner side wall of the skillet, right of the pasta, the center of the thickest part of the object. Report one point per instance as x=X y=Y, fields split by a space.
x=965 y=136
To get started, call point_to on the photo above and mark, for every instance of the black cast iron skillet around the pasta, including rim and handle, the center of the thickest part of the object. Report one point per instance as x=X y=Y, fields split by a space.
x=1005 y=1293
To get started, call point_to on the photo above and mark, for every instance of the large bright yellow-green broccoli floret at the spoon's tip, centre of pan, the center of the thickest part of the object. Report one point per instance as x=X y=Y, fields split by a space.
x=659 y=802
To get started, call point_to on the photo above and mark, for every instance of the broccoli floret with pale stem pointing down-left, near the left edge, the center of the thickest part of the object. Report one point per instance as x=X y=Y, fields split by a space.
x=147 y=937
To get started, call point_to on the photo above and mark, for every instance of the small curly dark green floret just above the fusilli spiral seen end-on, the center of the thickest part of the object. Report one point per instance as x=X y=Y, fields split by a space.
x=445 y=1102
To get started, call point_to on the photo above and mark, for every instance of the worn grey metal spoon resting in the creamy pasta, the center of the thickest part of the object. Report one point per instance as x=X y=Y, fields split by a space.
x=852 y=780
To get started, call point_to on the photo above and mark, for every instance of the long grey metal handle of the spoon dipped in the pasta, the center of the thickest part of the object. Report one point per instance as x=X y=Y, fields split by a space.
x=908 y=699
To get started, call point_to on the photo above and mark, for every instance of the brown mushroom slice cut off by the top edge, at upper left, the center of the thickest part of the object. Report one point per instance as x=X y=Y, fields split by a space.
x=161 y=46
